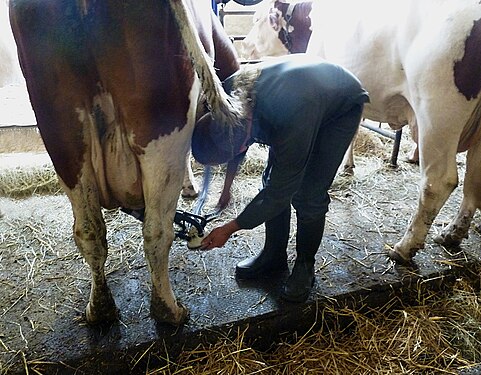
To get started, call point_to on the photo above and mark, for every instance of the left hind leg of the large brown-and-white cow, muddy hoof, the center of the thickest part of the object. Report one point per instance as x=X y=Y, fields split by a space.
x=90 y=237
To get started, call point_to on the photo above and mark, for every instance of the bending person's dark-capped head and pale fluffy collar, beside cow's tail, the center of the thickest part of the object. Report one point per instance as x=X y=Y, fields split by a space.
x=214 y=142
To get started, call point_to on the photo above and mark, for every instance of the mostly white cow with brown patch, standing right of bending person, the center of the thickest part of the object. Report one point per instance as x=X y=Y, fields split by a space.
x=421 y=63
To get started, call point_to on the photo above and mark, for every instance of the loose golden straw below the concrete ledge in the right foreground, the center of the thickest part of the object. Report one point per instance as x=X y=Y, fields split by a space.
x=440 y=335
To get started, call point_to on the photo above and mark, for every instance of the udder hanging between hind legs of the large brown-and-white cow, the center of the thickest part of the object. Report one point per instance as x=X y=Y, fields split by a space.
x=122 y=171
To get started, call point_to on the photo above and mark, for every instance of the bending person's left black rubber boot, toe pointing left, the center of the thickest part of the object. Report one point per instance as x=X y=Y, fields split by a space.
x=273 y=258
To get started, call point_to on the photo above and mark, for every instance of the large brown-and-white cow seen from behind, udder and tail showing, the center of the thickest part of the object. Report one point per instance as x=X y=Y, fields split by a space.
x=115 y=85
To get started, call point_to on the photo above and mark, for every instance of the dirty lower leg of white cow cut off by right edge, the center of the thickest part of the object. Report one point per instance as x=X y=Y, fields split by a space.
x=458 y=229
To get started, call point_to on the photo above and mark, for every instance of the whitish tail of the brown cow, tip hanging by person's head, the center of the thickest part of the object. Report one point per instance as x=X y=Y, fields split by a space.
x=224 y=108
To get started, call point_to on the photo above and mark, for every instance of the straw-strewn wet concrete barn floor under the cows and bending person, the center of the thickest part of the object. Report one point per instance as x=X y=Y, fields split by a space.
x=44 y=283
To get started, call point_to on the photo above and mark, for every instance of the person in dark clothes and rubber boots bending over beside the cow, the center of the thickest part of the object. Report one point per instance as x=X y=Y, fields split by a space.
x=307 y=111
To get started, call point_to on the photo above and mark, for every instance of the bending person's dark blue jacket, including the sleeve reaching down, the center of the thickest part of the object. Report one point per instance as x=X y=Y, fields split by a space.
x=292 y=100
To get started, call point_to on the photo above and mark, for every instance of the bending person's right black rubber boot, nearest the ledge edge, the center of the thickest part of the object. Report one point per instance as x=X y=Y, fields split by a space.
x=299 y=284
